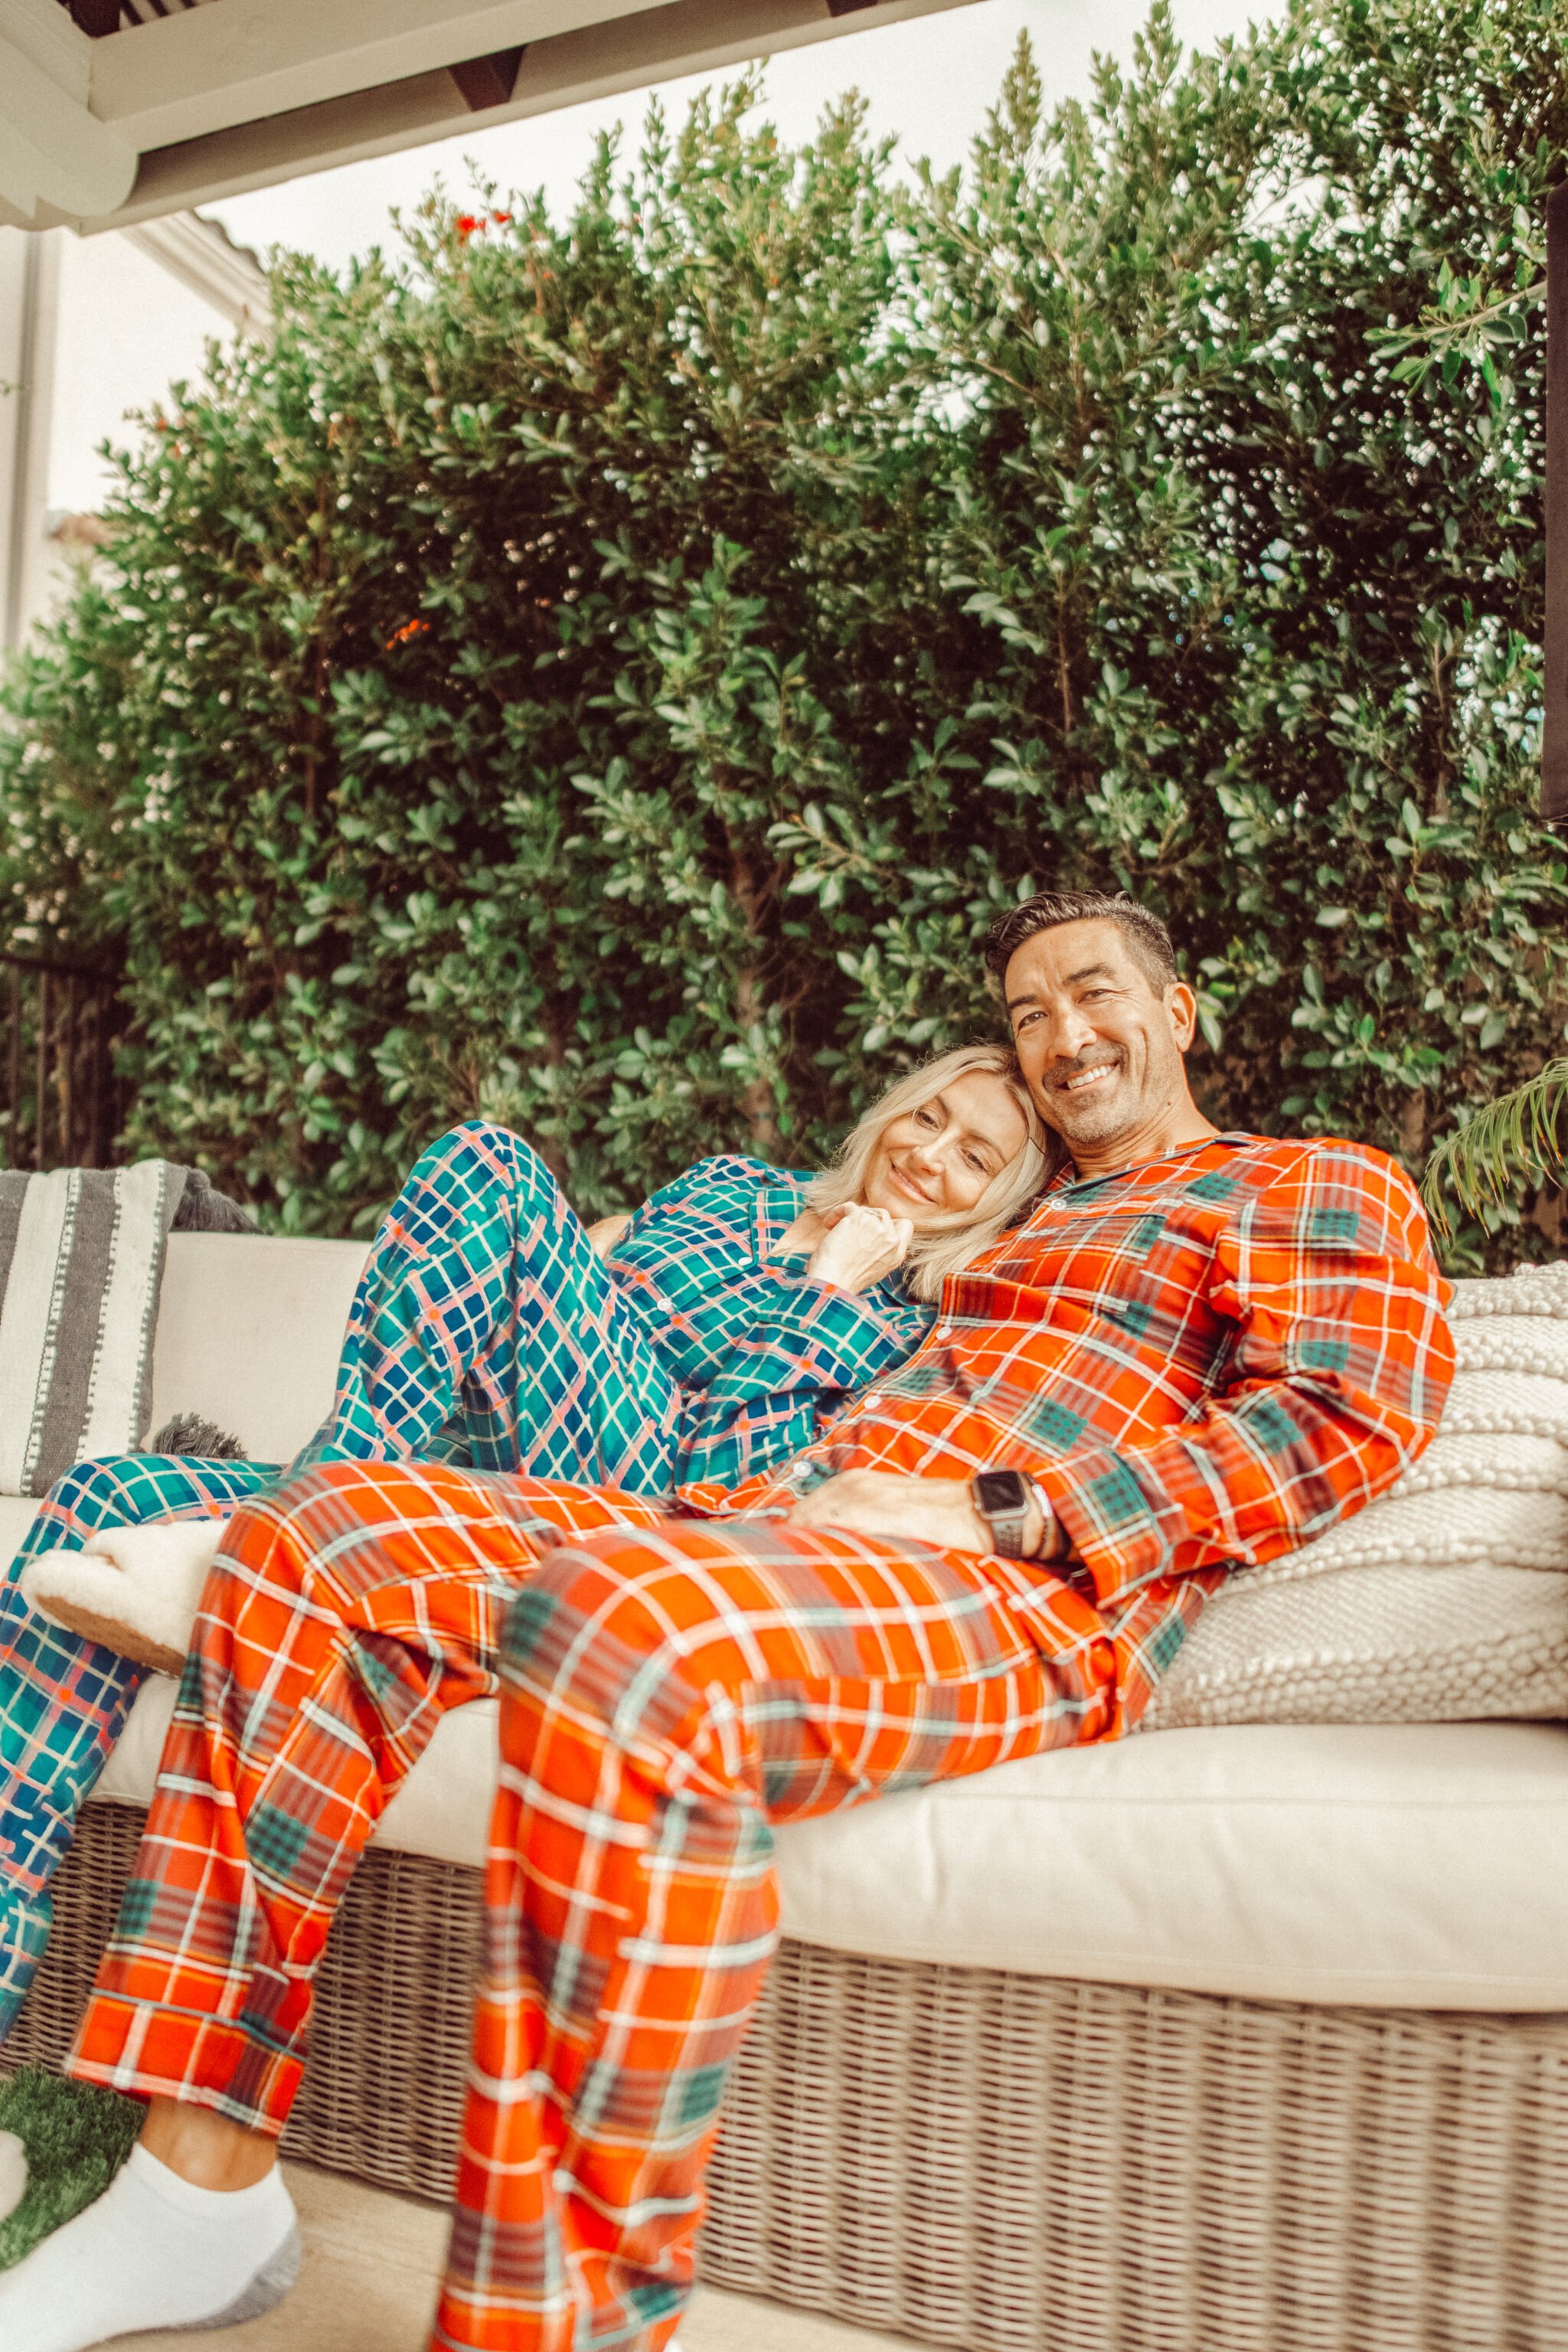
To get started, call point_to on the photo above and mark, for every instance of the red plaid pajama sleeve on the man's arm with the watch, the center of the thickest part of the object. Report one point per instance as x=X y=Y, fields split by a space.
x=1334 y=1384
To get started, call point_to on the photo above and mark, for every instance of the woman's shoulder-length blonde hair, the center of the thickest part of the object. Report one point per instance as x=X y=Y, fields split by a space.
x=944 y=1248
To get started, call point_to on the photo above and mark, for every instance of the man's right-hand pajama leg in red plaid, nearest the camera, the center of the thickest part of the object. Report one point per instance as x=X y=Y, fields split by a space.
x=669 y=1697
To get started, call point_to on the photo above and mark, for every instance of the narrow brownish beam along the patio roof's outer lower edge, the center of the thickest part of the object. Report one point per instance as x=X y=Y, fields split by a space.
x=605 y=60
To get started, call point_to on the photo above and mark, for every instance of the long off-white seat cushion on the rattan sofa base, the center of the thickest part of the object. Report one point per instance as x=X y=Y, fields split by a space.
x=1412 y=1866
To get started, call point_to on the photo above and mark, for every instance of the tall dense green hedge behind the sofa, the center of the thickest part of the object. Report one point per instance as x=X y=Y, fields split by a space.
x=608 y=674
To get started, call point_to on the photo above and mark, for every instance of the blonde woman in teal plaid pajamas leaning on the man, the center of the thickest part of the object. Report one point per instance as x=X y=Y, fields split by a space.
x=702 y=1339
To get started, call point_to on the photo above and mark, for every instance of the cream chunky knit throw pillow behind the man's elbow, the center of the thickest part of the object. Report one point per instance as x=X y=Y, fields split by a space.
x=1445 y=1601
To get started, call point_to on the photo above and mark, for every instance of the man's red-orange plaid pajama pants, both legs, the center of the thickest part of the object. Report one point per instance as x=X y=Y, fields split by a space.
x=671 y=1690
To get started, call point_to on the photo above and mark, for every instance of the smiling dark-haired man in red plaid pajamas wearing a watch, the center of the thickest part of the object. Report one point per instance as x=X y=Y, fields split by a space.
x=1200 y=1351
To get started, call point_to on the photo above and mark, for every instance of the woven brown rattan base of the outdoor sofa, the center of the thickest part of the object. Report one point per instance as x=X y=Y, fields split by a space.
x=996 y=2163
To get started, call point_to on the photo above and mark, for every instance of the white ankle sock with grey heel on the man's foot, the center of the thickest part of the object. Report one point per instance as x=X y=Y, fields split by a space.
x=154 y=2252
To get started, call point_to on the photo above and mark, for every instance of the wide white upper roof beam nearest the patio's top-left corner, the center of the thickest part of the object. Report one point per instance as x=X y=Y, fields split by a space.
x=208 y=69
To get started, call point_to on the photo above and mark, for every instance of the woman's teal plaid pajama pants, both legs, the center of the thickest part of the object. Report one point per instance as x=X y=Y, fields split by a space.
x=485 y=1332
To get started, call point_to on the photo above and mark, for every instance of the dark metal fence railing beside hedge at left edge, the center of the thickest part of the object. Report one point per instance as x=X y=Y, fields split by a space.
x=60 y=1100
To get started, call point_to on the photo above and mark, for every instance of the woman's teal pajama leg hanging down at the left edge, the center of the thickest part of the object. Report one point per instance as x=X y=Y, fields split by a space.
x=65 y=1699
